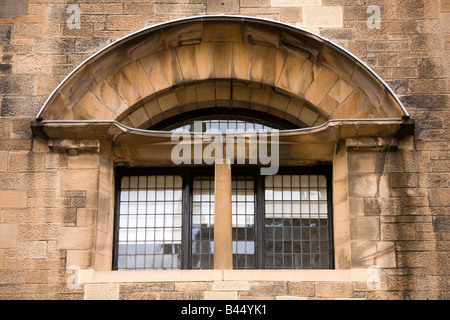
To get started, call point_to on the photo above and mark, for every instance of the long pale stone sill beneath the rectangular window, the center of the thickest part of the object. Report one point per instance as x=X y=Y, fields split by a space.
x=93 y=276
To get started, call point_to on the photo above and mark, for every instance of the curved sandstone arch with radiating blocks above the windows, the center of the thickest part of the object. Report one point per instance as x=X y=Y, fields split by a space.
x=222 y=61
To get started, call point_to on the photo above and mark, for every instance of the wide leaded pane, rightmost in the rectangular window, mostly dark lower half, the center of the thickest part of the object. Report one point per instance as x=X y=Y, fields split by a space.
x=296 y=220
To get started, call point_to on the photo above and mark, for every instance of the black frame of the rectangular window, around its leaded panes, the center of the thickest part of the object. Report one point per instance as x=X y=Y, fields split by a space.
x=189 y=172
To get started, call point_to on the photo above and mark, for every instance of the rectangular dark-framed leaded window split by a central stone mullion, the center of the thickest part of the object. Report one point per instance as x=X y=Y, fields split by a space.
x=165 y=219
